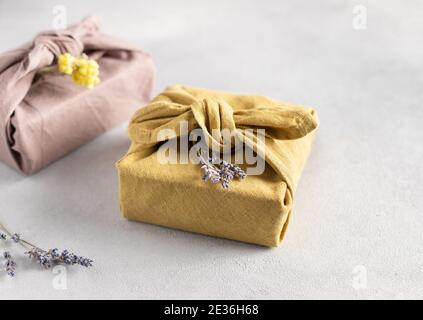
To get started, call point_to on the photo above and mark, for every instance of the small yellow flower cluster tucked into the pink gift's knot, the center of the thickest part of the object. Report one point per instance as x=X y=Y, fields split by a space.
x=85 y=72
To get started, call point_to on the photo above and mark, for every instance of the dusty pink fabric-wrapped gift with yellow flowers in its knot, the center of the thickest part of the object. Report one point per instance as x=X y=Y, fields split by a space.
x=44 y=115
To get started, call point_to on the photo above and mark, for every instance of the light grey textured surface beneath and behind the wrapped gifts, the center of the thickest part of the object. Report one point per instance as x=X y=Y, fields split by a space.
x=359 y=202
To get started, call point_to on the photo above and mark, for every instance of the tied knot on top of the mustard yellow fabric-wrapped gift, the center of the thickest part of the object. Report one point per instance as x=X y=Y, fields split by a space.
x=214 y=111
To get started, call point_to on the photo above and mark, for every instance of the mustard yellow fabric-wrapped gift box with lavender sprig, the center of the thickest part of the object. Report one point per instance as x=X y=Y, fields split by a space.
x=256 y=209
